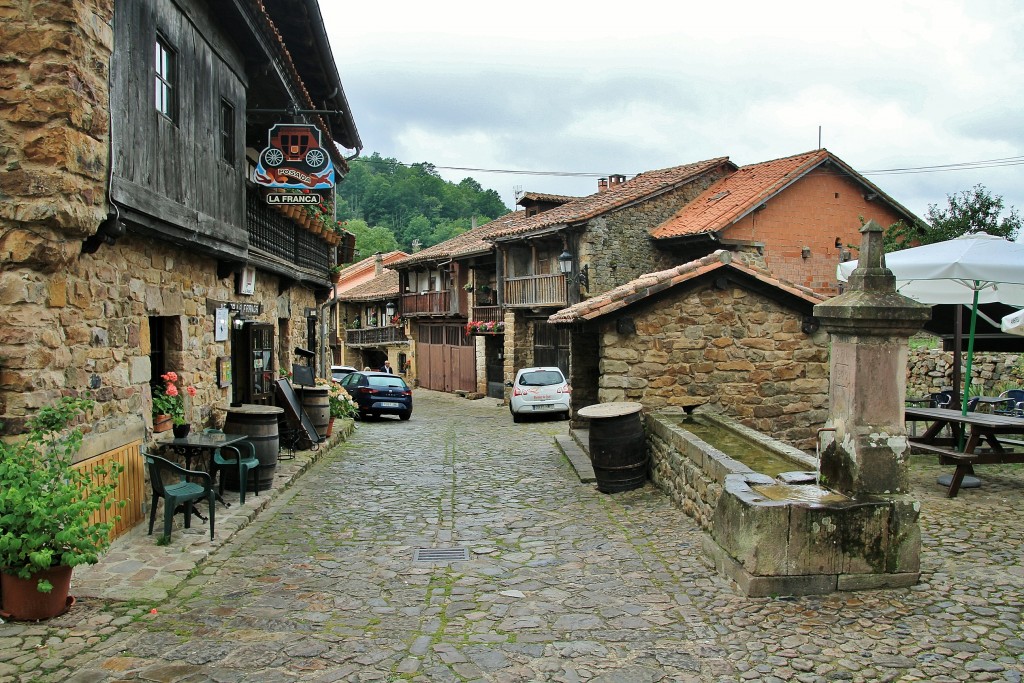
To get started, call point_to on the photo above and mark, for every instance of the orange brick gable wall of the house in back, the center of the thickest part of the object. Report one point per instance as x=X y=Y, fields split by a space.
x=817 y=211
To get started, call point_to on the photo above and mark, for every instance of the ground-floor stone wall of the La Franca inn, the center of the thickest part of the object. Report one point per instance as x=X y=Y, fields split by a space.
x=87 y=329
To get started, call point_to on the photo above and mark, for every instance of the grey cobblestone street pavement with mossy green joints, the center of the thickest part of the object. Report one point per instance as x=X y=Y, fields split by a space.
x=564 y=583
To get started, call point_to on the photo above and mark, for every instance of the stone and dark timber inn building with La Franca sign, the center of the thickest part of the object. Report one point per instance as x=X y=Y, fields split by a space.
x=134 y=239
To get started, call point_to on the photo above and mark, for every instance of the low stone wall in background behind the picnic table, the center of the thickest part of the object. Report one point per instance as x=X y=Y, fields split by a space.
x=930 y=371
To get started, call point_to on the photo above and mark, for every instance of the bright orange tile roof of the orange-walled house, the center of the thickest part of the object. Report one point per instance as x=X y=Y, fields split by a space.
x=735 y=197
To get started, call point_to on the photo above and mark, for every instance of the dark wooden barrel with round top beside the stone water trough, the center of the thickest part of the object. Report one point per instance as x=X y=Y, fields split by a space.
x=618 y=449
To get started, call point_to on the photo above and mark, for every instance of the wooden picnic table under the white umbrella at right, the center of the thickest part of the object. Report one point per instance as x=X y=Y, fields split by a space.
x=979 y=426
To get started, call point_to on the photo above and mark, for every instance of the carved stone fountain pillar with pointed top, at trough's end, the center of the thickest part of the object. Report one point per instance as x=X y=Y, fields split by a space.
x=870 y=326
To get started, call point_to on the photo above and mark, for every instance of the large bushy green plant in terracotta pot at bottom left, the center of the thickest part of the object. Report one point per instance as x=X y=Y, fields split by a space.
x=47 y=506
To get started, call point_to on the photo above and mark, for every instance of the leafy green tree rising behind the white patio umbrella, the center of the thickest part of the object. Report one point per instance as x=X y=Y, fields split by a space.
x=967 y=212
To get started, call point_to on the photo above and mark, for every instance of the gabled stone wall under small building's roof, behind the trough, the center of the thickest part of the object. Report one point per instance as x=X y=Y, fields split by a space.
x=740 y=351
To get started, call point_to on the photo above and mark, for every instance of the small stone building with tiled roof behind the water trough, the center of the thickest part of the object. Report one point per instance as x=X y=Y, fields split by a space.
x=720 y=331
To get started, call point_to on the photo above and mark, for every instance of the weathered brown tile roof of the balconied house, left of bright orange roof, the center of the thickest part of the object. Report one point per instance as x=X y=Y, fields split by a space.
x=643 y=187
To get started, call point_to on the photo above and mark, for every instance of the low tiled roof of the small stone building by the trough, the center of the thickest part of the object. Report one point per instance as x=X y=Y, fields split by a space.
x=654 y=283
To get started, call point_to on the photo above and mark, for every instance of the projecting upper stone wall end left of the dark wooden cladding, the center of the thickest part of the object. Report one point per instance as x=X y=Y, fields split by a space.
x=55 y=60
